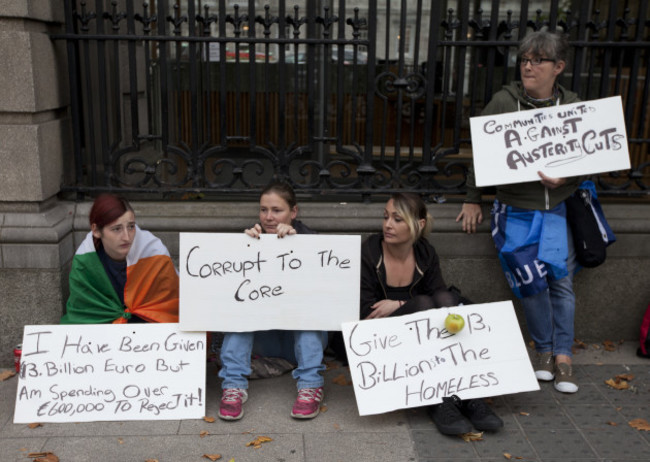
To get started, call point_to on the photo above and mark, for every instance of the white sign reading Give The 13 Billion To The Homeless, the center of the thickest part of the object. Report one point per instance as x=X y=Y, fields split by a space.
x=410 y=361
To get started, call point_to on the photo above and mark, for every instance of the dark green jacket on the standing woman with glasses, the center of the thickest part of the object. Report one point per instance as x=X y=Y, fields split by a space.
x=532 y=195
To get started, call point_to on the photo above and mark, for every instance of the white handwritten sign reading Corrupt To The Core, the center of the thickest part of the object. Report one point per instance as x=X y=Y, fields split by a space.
x=235 y=283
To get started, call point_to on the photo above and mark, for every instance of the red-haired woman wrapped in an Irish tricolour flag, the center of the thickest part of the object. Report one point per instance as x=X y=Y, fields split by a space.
x=120 y=273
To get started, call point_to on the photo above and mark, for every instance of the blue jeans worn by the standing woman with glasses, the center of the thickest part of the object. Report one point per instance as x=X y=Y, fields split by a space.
x=550 y=313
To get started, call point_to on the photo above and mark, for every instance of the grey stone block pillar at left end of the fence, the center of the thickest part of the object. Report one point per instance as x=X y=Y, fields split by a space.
x=35 y=229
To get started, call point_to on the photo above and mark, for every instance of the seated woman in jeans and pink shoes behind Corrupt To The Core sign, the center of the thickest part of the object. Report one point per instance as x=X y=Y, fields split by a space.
x=278 y=212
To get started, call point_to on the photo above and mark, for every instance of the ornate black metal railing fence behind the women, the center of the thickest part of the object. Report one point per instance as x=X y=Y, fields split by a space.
x=338 y=97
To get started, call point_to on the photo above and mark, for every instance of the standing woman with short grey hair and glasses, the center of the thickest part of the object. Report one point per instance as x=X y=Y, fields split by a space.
x=529 y=224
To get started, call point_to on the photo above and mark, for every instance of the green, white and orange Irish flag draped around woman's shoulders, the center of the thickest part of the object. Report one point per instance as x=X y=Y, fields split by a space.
x=150 y=292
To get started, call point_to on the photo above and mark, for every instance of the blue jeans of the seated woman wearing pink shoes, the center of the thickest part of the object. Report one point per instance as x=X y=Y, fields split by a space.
x=302 y=347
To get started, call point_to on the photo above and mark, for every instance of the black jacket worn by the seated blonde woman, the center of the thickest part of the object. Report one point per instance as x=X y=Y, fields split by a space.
x=426 y=280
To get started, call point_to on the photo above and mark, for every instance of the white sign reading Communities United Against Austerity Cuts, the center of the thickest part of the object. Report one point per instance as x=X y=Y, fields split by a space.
x=560 y=141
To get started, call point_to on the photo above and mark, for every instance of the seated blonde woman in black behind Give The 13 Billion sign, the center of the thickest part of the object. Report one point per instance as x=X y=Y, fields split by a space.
x=400 y=274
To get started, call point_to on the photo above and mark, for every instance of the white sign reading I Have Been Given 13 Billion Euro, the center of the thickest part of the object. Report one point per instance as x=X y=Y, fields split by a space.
x=101 y=372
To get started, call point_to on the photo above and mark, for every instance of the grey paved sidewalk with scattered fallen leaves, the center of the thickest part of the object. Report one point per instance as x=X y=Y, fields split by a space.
x=589 y=426
